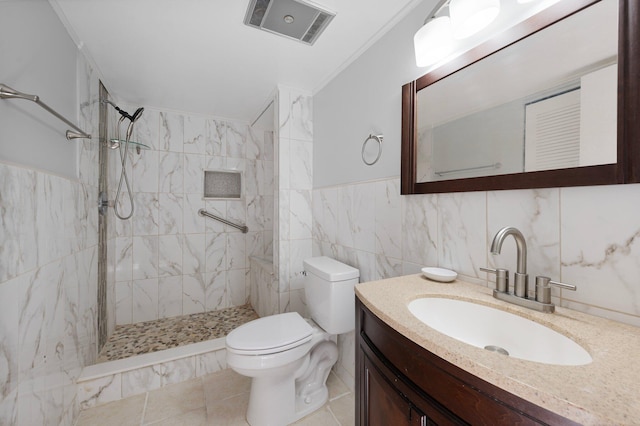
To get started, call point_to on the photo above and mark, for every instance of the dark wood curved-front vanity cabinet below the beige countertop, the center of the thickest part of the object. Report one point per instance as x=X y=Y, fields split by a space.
x=400 y=383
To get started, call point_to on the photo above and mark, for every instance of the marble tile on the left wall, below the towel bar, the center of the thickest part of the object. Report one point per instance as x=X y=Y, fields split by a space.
x=48 y=276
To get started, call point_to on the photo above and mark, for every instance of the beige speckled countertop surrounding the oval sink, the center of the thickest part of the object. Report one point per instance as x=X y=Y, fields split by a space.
x=606 y=391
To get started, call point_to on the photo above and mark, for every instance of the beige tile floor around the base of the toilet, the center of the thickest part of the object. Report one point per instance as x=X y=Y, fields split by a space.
x=218 y=399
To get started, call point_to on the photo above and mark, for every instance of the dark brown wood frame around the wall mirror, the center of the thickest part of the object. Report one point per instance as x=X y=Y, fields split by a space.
x=626 y=170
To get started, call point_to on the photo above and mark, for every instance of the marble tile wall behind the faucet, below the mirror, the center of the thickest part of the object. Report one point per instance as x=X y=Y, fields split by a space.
x=587 y=236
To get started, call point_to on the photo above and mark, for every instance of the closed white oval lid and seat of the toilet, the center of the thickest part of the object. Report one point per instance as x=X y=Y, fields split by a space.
x=268 y=335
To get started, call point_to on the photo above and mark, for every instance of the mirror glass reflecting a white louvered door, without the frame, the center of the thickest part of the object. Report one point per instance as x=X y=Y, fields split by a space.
x=547 y=102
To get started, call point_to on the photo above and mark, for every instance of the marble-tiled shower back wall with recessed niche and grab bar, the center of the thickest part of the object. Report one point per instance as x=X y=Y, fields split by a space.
x=170 y=261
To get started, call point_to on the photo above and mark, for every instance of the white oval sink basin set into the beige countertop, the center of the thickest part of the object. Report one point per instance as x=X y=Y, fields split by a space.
x=497 y=330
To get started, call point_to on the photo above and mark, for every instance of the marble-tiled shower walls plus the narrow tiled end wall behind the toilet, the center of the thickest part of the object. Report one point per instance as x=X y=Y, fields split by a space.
x=168 y=260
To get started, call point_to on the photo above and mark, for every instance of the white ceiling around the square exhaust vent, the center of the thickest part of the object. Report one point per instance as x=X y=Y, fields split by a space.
x=198 y=56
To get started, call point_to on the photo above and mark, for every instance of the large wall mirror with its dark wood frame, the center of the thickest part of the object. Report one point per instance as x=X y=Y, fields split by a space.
x=552 y=102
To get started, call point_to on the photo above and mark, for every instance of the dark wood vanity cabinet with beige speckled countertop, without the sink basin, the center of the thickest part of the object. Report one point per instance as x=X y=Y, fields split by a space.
x=409 y=374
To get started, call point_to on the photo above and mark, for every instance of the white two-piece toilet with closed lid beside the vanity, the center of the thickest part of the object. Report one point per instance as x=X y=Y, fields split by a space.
x=289 y=357
